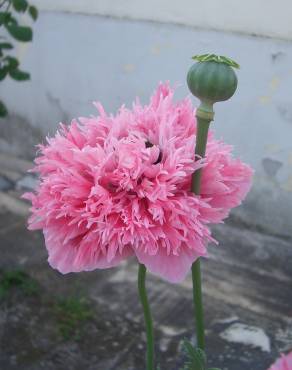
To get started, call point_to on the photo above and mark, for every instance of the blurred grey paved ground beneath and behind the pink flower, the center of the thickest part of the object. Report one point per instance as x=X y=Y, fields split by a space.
x=93 y=320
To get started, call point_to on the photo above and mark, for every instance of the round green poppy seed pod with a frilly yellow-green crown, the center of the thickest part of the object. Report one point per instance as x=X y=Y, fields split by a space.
x=212 y=79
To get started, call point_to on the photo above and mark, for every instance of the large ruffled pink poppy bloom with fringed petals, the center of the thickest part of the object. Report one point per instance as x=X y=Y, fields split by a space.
x=115 y=186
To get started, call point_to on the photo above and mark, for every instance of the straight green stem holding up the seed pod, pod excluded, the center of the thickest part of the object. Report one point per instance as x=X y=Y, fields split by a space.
x=203 y=122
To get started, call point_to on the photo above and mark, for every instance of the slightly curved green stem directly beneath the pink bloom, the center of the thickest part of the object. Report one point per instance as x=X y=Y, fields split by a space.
x=147 y=317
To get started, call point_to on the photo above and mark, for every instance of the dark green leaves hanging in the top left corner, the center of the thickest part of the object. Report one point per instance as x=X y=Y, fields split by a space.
x=9 y=65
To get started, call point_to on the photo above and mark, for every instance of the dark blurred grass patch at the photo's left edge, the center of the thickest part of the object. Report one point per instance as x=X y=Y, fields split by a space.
x=19 y=279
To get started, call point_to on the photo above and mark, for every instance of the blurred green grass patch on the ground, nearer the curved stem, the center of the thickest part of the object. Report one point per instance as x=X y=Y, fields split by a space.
x=71 y=313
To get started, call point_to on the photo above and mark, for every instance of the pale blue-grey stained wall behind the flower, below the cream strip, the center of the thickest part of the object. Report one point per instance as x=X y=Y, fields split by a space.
x=76 y=59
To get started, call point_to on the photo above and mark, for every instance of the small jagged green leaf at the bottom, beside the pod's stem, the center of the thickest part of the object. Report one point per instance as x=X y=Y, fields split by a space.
x=196 y=358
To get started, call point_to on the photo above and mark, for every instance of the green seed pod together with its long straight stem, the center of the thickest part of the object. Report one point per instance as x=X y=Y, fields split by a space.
x=212 y=79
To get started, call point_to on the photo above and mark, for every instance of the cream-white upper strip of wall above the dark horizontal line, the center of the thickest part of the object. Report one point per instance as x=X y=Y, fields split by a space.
x=271 y=18
